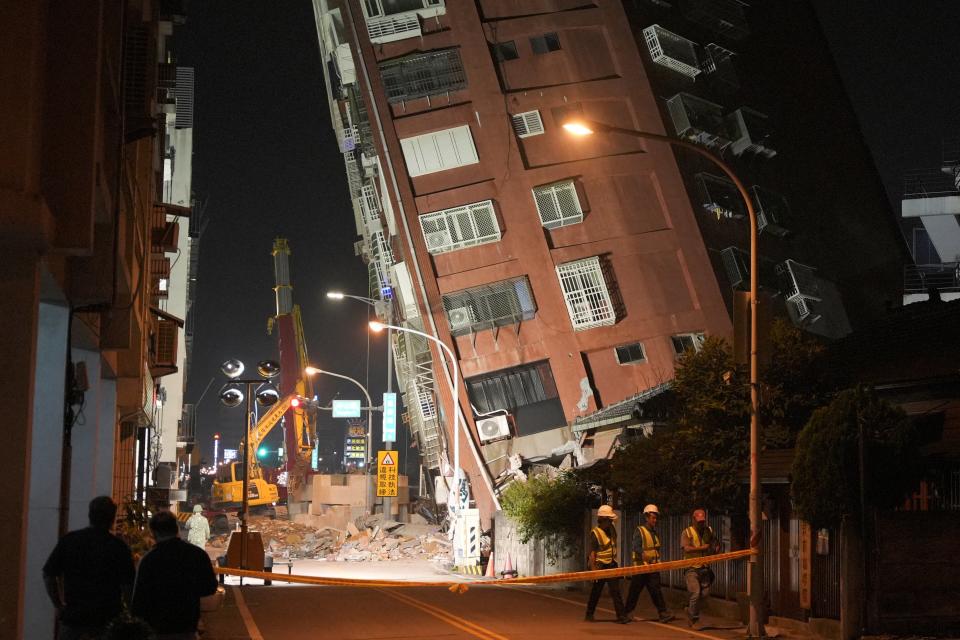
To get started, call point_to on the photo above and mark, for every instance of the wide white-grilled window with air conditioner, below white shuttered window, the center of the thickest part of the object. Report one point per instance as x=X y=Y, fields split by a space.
x=460 y=227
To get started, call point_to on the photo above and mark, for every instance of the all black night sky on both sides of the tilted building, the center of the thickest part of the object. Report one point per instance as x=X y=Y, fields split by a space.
x=266 y=164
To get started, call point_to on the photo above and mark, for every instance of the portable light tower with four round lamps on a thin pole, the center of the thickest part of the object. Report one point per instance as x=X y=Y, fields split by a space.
x=231 y=396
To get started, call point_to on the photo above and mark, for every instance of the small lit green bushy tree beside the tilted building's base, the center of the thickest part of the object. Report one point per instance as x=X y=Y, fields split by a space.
x=549 y=509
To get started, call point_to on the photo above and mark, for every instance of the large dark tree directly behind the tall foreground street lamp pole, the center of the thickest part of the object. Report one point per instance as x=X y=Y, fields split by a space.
x=699 y=457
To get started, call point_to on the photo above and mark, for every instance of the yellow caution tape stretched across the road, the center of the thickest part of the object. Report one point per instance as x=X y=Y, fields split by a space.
x=460 y=587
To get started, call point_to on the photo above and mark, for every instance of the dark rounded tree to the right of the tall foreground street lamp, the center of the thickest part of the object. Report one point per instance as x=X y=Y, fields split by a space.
x=826 y=469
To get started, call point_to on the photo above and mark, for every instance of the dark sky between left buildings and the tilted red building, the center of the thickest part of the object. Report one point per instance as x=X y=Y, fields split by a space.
x=266 y=165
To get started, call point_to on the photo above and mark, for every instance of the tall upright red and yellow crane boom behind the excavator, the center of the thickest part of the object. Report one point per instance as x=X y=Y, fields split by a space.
x=300 y=427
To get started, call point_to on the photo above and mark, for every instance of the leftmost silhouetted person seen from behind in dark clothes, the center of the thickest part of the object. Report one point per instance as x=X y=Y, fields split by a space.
x=88 y=574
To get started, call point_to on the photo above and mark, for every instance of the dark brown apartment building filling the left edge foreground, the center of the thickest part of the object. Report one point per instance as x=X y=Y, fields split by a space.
x=82 y=227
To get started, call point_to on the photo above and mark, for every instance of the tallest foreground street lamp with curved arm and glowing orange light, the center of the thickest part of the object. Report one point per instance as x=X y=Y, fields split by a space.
x=579 y=126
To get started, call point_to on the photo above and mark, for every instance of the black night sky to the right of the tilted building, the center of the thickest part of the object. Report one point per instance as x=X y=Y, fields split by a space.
x=900 y=61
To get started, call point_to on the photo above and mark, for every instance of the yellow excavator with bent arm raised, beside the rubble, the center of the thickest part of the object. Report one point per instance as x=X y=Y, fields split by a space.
x=262 y=496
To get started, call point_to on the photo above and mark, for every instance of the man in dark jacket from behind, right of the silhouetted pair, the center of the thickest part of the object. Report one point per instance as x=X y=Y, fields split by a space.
x=171 y=579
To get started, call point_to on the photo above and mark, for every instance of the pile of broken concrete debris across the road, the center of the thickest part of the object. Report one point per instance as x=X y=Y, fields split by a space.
x=367 y=539
